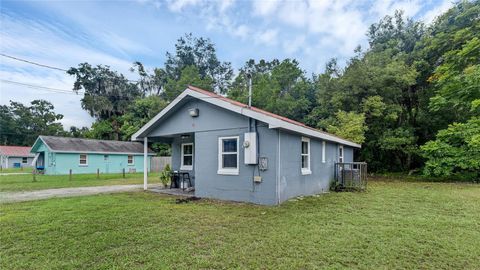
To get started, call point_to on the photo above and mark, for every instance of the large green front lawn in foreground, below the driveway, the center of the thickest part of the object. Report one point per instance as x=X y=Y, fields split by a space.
x=393 y=225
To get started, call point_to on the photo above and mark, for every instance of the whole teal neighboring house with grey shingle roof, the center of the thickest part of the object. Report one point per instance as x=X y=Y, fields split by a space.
x=59 y=155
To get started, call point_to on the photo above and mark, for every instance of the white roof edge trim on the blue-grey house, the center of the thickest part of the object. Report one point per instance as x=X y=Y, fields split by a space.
x=271 y=121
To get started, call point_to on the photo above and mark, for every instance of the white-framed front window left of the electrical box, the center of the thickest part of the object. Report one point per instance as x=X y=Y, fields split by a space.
x=228 y=155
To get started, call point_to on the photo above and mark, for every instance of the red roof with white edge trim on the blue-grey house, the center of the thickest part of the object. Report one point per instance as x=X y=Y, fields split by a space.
x=273 y=120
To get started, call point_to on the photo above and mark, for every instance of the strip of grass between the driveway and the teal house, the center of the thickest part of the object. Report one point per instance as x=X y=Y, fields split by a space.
x=25 y=182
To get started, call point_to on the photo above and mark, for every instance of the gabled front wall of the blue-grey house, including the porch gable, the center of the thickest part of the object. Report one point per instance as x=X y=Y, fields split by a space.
x=214 y=122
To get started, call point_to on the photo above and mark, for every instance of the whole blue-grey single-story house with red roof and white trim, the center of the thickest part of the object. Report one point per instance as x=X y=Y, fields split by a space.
x=241 y=153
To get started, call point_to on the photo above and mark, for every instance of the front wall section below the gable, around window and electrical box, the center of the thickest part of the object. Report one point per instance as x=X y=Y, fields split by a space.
x=235 y=187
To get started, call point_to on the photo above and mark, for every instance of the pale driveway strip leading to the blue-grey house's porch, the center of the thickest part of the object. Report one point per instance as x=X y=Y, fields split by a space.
x=8 y=197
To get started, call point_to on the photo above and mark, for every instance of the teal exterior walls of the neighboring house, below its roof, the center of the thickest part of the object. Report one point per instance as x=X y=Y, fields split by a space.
x=62 y=163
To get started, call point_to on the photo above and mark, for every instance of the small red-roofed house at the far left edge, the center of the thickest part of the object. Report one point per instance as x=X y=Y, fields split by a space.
x=15 y=156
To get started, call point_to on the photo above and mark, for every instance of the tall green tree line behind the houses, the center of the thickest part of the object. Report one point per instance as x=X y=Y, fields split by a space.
x=412 y=98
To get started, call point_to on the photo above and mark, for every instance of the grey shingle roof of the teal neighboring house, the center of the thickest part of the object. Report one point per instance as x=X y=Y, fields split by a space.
x=68 y=144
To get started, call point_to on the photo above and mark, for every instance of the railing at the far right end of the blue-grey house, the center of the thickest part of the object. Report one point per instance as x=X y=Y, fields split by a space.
x=350 y=176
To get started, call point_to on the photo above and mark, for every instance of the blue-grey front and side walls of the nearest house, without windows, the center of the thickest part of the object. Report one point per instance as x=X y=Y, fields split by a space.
x=282 y=179
